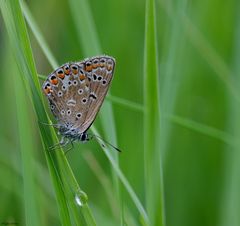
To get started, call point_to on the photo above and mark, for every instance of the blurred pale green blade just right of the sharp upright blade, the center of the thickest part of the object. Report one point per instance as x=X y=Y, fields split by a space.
x=171 y=74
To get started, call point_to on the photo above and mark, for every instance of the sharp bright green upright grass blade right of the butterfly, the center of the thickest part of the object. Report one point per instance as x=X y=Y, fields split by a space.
x=153 y=174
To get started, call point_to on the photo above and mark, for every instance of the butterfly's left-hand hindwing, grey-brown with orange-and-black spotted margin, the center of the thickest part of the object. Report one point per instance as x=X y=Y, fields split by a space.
x=66 y=88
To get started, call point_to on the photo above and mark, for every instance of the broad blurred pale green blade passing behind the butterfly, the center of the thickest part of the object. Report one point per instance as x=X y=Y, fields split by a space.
x=91 y=46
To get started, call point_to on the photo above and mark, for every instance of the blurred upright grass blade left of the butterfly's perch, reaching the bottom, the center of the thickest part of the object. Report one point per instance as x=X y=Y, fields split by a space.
x=31 y=202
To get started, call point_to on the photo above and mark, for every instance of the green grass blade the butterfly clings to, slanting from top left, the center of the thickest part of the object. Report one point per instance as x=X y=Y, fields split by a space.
x=64 y=182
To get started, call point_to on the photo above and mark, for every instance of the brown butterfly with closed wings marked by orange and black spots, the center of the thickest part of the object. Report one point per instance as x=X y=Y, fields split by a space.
x=75 y=92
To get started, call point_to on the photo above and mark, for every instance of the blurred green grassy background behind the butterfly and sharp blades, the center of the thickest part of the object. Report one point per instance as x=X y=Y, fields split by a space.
x=198 y=59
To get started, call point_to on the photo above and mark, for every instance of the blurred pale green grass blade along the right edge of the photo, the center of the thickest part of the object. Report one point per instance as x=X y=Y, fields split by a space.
x=229 y=212
